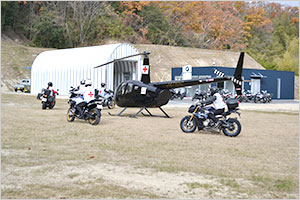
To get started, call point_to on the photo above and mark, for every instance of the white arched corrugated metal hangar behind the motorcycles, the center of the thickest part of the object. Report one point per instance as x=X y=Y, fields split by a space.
x=67 y=67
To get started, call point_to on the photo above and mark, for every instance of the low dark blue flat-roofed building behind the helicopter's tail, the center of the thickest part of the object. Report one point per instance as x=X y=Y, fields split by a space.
x=279 y=83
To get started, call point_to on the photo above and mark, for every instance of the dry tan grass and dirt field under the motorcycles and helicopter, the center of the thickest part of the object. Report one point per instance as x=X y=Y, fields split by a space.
x=44 y=156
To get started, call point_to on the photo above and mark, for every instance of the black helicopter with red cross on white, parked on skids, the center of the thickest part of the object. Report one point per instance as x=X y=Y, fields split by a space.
x=144 y=94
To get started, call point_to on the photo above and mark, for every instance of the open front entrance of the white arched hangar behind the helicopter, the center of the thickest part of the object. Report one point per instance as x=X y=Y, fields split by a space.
x=123 y=71
